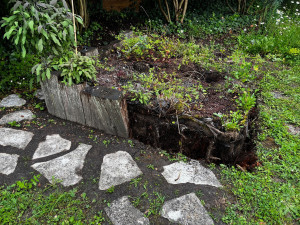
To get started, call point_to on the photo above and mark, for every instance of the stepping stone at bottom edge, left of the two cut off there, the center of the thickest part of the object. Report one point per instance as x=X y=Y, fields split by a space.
x=122 y=212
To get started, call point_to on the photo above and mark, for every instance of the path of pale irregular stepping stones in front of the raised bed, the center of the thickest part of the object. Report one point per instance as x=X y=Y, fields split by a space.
x=118 y=168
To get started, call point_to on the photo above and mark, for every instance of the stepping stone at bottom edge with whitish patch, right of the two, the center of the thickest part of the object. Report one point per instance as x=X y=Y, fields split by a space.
x=186 y=210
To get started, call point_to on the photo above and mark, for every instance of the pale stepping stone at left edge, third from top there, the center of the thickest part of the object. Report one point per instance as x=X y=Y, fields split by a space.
x=15 y=138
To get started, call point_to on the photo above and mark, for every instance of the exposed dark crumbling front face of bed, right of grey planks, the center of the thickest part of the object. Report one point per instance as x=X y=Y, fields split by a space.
x=162 y=132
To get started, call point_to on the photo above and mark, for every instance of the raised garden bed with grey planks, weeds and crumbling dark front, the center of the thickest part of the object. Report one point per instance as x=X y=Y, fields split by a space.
x=175 y=106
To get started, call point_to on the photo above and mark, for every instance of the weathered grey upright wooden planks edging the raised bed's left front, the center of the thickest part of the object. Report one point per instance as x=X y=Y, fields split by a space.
x=98 y=107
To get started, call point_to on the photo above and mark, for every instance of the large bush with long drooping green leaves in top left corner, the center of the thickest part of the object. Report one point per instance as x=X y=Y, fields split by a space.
x=39 y=27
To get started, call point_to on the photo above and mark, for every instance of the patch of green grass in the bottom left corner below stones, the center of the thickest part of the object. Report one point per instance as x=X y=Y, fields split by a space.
x=25 y=202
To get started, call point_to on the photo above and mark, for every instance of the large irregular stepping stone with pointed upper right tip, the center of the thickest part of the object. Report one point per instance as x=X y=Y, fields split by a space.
x=64 y=168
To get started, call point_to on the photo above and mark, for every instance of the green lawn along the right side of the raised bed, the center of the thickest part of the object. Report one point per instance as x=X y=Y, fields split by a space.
x=270 y=195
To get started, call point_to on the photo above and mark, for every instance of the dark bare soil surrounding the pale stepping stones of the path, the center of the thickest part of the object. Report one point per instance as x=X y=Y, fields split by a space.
x=46 y=124
